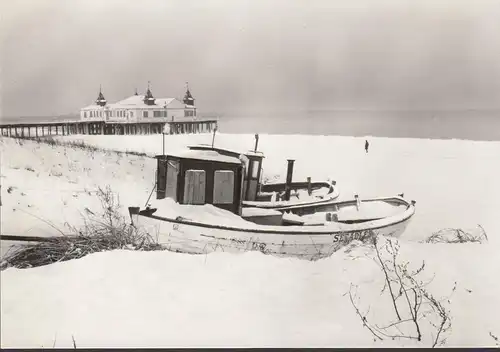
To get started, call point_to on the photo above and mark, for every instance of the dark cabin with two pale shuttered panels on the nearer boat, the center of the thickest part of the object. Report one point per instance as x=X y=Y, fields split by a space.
x=201 y=176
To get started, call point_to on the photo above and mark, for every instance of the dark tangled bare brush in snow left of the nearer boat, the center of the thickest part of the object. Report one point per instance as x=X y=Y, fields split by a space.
x=104 y=231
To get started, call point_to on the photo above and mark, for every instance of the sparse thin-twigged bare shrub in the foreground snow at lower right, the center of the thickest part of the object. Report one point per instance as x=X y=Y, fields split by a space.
x=418 y=315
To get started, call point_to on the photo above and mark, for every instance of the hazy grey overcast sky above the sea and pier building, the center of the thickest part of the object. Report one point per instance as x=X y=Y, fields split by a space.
x=251 y=55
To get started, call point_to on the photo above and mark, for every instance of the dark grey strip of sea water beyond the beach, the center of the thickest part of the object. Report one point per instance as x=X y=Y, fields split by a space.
x=481 y=125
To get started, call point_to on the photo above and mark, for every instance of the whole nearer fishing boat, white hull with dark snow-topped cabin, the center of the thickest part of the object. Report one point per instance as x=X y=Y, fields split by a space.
x=199 y=208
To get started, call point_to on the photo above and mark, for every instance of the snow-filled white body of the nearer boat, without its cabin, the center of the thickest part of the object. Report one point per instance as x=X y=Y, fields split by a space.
x=314 y=235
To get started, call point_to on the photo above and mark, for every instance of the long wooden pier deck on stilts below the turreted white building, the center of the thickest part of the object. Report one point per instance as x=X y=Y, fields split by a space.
x=28 y=130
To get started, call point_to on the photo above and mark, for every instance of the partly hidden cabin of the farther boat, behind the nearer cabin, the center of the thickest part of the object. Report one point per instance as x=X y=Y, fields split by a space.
x=252 y=161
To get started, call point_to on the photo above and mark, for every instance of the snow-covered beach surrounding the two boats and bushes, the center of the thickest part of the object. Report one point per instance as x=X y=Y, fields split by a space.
x=163 y=299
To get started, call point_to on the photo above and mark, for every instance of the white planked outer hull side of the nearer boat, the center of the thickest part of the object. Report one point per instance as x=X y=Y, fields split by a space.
x=305 y=242
